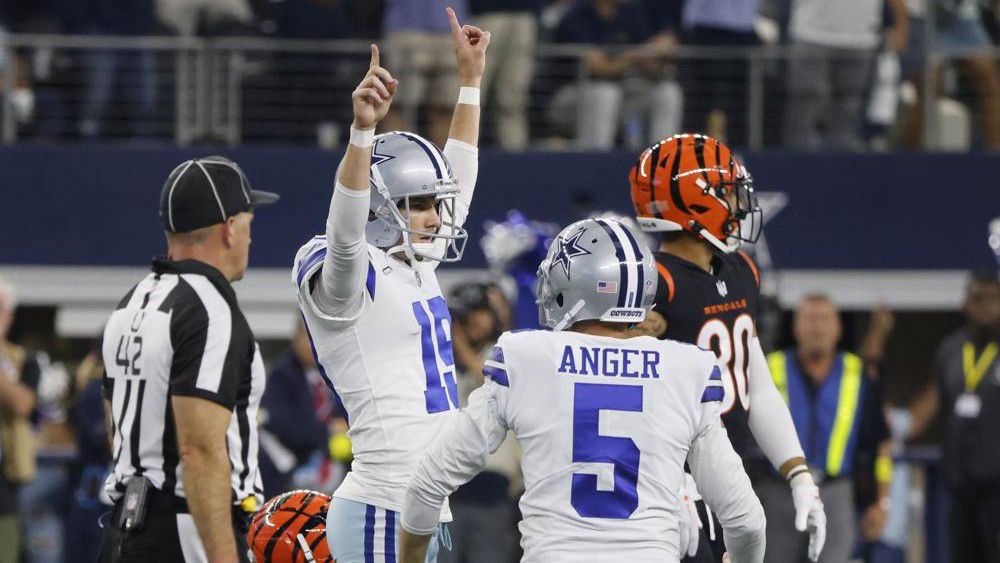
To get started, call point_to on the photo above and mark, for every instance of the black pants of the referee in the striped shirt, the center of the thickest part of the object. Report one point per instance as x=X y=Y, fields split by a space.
x=169 y=535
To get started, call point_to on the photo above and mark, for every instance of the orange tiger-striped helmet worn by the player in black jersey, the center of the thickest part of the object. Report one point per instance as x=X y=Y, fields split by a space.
x=694 y=183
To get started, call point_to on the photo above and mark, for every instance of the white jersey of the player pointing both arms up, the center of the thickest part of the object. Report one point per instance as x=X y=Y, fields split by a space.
x=392 y=366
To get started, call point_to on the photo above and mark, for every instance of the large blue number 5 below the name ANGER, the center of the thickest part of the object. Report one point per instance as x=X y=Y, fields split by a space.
x=590 y=447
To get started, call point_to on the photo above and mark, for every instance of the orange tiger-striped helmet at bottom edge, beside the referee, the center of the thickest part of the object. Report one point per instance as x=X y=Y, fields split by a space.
x=276 y=528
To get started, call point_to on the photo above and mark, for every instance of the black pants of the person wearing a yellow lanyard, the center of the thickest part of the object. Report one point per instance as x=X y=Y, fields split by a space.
x=975 y=526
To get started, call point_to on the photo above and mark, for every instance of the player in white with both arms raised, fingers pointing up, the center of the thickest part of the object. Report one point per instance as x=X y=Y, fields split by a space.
x=369 y=295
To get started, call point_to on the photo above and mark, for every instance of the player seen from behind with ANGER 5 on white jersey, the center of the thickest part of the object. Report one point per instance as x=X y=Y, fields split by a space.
x=605 y=421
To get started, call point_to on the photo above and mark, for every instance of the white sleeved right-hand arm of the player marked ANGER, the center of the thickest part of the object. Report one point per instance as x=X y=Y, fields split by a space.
x=725 y=487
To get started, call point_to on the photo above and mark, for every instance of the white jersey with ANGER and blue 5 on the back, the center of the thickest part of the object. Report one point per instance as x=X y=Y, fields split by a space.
x=605 y=426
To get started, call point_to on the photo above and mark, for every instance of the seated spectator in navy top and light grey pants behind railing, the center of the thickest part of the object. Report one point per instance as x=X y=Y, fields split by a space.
x=624 y=62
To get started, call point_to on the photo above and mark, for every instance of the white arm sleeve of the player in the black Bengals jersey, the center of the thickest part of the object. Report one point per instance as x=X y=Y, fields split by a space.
x=770 y=421
